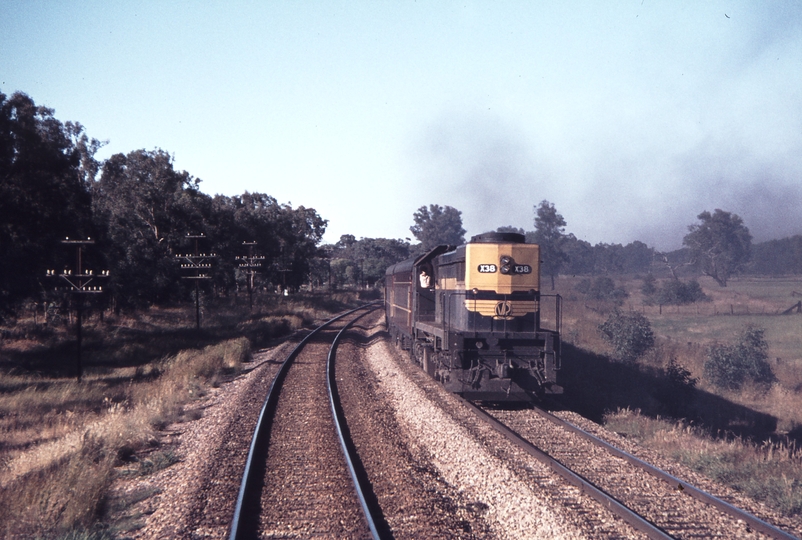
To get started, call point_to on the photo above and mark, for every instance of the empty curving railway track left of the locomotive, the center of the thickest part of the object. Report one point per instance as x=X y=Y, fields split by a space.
x=300 y=477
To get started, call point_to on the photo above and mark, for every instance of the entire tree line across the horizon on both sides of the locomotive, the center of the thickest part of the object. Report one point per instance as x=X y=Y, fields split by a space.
x=139 y=210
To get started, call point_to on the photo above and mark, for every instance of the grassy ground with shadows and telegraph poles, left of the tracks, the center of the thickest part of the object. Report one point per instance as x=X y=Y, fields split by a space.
x=62 y=442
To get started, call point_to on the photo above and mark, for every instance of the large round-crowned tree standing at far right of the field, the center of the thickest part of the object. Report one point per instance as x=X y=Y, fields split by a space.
x=720 y=244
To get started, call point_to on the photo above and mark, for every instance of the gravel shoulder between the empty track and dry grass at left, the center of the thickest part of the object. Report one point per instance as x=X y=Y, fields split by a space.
x=195 y=497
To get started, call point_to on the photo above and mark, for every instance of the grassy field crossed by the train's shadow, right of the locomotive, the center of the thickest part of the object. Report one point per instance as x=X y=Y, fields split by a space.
x=750 y=439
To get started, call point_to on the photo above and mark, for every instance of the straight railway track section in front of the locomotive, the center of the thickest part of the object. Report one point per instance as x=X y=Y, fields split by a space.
x=666 y=508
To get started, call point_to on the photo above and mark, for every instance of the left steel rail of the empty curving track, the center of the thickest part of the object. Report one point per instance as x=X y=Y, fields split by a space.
x=263 y=423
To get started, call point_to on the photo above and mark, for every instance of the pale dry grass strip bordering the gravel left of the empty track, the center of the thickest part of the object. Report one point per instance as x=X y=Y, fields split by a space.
x=62 y=481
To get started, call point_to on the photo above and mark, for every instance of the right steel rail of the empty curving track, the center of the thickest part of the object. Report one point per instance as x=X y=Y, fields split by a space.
x=370 y=509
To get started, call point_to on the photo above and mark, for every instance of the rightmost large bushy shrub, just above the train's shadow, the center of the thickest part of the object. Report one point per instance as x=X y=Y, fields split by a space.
x=730 y=366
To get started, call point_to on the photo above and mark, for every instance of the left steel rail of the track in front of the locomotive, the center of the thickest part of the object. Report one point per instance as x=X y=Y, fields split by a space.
x=614 y=505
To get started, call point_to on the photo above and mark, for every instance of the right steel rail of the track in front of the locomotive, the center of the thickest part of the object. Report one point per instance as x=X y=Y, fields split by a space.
x=753 y=521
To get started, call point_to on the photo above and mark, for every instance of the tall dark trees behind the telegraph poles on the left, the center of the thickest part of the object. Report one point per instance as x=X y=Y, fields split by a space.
x=137 y=208
